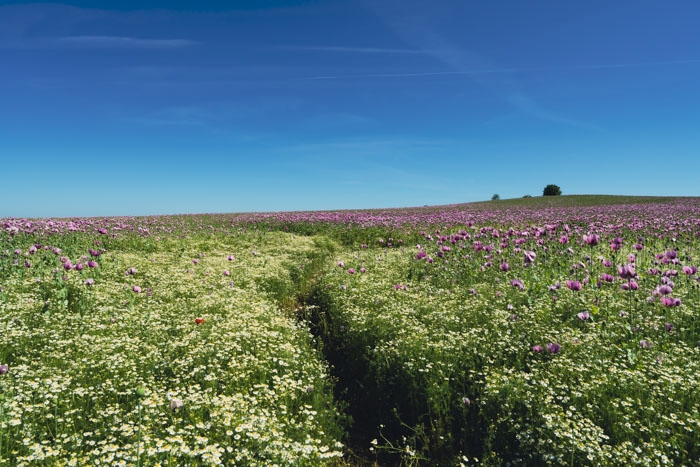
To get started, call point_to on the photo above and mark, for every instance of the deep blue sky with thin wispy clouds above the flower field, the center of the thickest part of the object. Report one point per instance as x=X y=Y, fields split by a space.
x=156 y=107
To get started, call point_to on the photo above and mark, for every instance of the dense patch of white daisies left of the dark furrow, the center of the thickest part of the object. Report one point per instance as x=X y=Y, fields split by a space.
x=164 y=353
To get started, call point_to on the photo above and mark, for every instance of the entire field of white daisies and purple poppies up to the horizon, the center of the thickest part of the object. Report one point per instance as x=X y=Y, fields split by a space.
x=507 y=334
